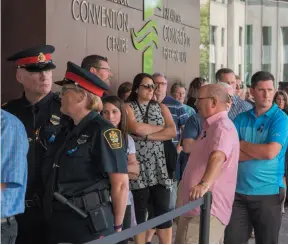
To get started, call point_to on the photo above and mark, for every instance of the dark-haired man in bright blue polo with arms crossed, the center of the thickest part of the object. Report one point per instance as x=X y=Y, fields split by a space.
x=263 y=134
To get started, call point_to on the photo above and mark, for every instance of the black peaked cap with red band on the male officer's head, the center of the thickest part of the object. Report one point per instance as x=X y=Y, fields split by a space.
x=34 y=59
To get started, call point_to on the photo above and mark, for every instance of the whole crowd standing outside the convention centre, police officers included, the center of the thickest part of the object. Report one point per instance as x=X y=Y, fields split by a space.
x=85 y=164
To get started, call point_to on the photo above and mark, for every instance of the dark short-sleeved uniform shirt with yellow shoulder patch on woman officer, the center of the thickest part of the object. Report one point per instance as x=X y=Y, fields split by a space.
x=87 y=152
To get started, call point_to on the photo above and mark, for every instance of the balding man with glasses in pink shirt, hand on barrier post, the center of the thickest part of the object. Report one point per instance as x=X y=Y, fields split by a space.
x=212 y=166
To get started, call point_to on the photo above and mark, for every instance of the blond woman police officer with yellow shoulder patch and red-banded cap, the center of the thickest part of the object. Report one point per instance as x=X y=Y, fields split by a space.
x=87 y=166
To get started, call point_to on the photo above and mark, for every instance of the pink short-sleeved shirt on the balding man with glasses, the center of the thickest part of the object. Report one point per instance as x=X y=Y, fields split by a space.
x=218 y=134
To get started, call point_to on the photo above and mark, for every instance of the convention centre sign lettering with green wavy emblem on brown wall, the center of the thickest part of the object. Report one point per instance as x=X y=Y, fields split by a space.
x=144 y=37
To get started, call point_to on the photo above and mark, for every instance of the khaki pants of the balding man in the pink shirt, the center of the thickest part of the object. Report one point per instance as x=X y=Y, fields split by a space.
x=188 y=230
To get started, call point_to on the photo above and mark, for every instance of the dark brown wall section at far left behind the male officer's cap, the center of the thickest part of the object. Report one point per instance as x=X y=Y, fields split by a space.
x=22 y=26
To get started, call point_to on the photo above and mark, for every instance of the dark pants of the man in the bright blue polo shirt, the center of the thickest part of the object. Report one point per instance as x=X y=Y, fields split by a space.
x=263 y=213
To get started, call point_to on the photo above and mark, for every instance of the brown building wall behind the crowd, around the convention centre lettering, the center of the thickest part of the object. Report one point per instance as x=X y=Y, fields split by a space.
x=60 y=23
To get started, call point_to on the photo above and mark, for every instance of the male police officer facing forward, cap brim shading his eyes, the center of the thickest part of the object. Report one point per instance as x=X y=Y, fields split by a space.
x=39 y=111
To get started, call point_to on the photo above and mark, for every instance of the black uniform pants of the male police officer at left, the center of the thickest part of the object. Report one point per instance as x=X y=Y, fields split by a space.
x=32 y=226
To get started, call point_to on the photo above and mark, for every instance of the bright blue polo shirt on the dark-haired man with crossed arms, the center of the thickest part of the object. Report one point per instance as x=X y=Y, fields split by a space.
x=262 y=177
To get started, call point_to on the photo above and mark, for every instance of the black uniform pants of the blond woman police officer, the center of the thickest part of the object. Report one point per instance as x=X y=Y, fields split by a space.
x=66 y=226
